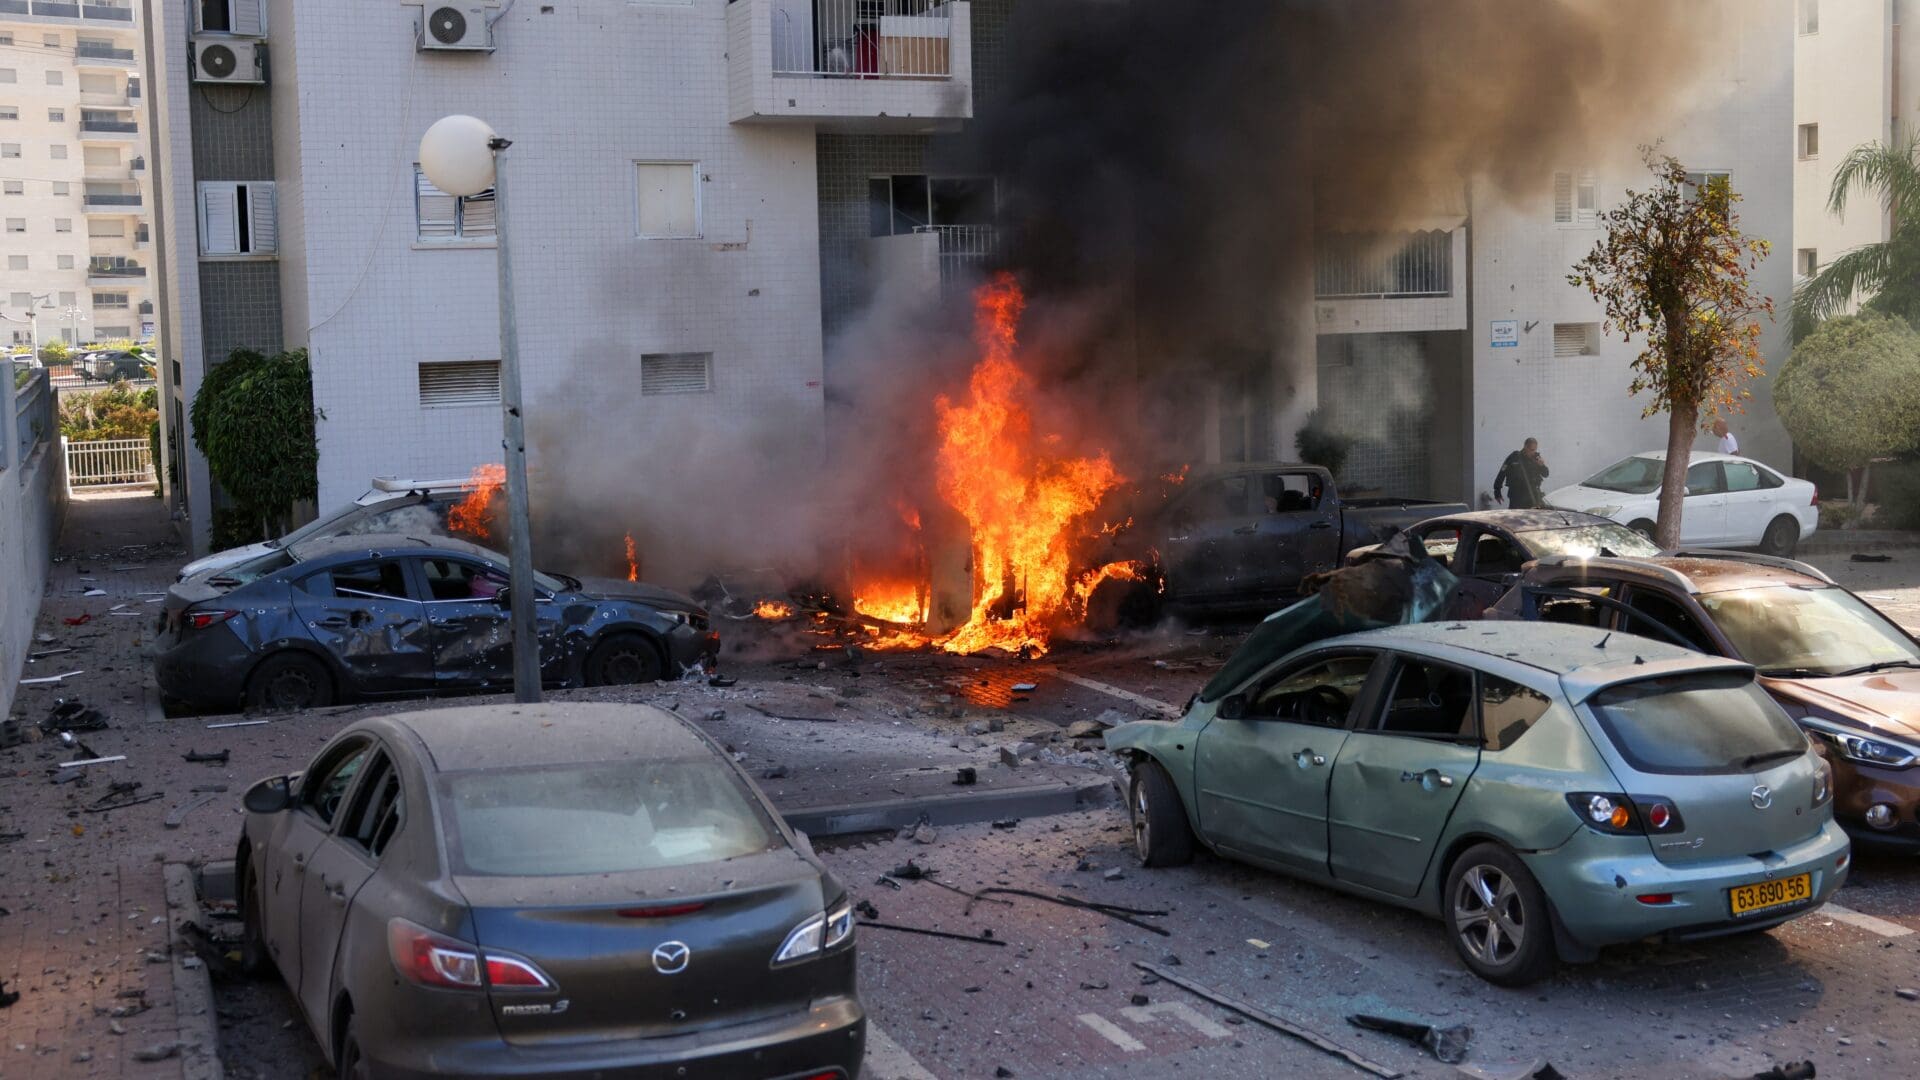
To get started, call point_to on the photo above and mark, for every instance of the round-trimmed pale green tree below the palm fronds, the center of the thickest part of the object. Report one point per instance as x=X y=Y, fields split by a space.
x=1848 y=395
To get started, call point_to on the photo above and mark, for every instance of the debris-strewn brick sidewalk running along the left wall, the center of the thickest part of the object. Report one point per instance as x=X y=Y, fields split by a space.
x=84 y=910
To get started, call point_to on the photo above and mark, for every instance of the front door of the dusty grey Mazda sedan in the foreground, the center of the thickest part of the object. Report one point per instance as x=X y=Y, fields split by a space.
x=299 y=835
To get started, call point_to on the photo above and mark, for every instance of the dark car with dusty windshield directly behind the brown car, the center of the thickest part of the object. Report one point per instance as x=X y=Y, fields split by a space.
x=1493 y=545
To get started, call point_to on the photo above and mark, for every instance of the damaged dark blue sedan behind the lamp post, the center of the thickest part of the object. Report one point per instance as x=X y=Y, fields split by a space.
x=347 y=618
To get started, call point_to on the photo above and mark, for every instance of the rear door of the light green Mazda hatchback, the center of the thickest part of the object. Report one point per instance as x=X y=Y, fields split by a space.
x=1401 y=773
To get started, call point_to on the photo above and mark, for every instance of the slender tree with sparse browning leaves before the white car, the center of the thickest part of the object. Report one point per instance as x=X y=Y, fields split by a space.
x=1675 y=272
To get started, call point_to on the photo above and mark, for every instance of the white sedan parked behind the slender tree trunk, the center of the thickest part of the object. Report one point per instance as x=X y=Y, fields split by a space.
x=1731 y=503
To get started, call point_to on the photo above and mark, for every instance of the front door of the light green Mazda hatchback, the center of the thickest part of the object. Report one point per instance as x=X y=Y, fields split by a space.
x=1260 y=775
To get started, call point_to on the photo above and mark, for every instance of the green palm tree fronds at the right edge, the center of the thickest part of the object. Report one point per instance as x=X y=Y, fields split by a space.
x=1888 y=272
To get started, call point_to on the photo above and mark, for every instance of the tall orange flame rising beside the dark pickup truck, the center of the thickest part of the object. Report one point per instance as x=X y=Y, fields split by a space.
x=1019 y=499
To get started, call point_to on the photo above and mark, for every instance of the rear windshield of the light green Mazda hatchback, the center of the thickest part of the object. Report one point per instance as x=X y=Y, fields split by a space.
x=1698 y=724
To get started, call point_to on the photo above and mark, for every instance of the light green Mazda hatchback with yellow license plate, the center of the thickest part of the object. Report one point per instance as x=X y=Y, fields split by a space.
x=1508 y=779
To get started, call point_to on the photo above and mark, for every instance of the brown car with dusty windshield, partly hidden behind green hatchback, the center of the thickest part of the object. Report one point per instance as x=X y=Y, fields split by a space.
x=1842 y=670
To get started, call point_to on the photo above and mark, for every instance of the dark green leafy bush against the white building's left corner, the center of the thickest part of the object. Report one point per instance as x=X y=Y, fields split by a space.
x=254 y=420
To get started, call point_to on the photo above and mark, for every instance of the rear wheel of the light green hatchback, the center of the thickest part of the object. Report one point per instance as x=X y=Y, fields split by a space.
x=1497 y=918
